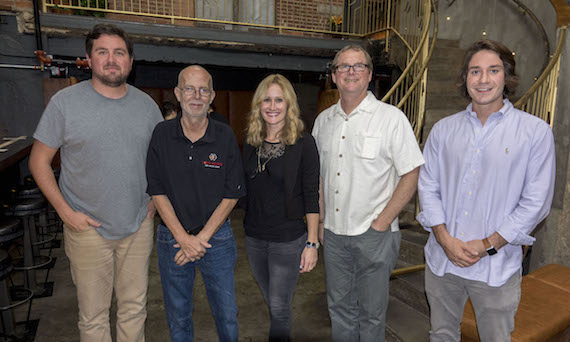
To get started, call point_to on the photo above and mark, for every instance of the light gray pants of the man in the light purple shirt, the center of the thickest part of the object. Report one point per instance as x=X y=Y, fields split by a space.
x=495 y=307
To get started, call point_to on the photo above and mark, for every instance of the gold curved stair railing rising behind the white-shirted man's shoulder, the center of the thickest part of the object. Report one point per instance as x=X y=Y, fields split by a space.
x=409 y=92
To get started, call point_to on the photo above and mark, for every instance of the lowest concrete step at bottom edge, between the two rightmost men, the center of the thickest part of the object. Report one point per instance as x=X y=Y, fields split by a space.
x=404 y=324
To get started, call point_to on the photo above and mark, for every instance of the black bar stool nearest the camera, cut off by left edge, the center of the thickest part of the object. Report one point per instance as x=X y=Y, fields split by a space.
x=10 y=229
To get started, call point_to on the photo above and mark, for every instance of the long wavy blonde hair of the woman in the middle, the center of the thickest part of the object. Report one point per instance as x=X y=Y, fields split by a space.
x=256 y=128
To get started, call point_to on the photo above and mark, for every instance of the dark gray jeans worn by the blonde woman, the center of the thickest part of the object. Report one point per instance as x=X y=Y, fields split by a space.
x=275 y=266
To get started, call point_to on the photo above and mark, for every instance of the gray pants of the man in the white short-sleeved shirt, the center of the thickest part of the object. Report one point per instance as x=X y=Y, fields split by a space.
x=358 y=271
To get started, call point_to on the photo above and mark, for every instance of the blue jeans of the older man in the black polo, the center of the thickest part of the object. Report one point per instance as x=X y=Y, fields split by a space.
x=217 y=268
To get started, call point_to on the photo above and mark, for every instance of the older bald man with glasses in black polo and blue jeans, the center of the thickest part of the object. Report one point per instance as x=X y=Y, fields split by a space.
x=195 y=178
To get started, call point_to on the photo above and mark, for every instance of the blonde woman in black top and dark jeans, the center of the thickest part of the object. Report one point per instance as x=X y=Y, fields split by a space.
x=281 y=163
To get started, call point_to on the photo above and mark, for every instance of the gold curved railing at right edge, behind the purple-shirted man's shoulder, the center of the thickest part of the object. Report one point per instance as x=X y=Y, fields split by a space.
x=540 y=99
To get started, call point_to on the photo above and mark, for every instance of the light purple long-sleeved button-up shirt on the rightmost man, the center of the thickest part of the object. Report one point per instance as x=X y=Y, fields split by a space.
x=484 y=179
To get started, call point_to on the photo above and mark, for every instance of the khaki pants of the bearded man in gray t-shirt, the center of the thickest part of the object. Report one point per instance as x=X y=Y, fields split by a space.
x=98 y=266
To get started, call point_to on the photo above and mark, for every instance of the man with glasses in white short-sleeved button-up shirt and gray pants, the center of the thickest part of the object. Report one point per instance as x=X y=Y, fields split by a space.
x=369 y=166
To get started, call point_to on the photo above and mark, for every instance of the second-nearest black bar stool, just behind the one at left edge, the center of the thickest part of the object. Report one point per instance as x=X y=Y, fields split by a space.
x=26 y=210
